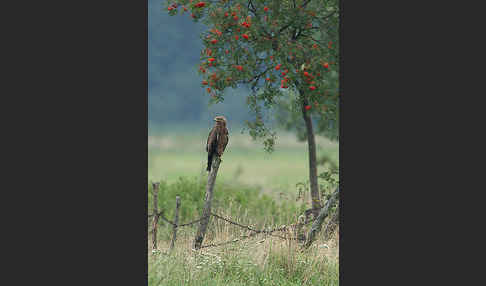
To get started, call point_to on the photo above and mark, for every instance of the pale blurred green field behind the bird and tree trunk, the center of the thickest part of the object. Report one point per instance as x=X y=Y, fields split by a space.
x=183 y=155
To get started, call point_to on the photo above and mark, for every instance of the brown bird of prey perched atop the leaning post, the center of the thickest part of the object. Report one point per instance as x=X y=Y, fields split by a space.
x=217 y=140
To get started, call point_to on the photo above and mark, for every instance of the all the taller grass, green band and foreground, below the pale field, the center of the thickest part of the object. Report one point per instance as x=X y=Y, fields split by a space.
x=259 y=260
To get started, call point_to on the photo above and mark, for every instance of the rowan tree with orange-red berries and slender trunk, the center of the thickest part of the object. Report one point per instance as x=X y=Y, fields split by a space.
x=284 y=51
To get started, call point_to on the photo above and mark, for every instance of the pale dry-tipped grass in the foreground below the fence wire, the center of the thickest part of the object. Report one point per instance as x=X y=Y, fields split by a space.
x=260 y=260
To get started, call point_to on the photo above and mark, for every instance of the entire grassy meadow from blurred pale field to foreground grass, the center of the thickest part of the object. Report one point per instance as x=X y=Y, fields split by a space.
x=247 y=187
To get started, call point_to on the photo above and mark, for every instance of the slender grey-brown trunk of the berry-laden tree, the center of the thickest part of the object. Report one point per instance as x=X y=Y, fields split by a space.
x=311 y=143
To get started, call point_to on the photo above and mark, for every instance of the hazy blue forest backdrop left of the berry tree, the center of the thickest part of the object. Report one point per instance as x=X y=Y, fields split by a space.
x=176 y=97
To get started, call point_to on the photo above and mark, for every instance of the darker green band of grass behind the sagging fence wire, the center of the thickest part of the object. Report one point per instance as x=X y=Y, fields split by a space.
x=235 y=199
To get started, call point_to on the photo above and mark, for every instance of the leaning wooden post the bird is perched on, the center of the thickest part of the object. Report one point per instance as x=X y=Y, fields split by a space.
x=201 y=231
